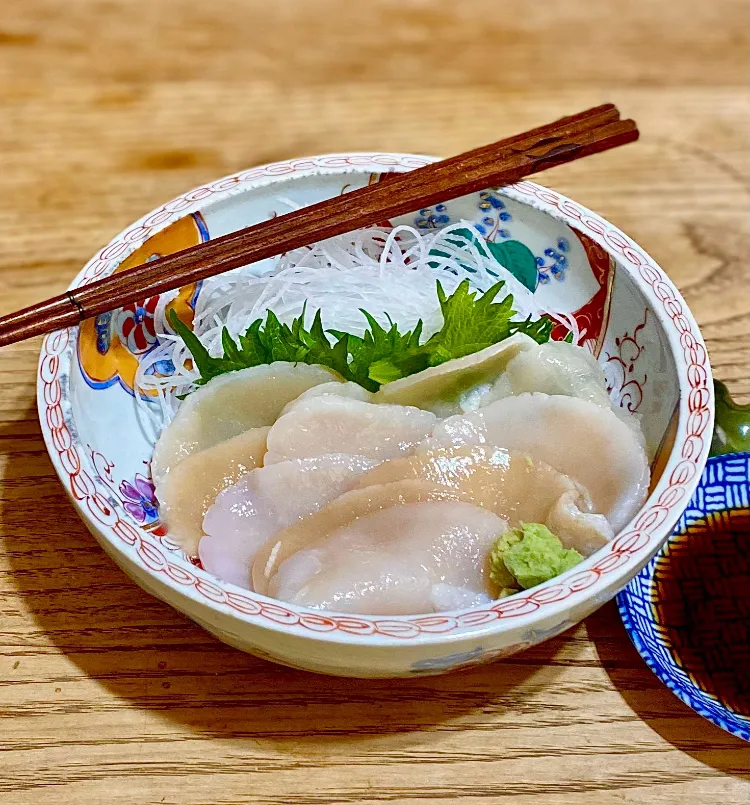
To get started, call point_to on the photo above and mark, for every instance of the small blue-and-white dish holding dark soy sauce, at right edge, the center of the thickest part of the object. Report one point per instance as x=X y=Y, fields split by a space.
x=688 y=611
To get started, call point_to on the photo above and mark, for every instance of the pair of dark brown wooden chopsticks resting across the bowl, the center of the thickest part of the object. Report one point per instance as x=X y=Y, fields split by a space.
x=500 y=163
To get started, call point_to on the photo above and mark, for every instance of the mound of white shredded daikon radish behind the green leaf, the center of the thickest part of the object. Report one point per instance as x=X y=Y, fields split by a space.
x=389 y=273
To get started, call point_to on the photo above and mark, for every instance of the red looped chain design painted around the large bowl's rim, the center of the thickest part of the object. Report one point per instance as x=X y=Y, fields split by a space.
x=159 y=561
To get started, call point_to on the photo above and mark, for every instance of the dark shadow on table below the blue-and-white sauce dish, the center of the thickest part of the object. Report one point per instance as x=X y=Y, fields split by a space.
x=660 y=709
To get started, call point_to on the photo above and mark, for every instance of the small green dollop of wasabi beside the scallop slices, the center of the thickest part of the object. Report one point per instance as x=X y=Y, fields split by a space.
x=527 y=556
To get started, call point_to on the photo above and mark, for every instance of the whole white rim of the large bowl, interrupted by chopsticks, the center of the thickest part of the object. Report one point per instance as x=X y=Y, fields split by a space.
x=598 y=577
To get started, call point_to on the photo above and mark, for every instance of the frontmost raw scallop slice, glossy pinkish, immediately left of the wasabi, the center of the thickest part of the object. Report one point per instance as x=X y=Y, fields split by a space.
x=402 y=560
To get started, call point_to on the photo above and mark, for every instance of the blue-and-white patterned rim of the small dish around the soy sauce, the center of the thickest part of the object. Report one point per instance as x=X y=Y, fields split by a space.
x=724 y=490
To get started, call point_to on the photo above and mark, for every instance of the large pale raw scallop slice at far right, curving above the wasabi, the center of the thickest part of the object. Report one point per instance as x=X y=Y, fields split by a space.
x=590 y=444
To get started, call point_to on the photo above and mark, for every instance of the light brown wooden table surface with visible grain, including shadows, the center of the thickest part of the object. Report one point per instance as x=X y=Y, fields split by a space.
x=110 y=107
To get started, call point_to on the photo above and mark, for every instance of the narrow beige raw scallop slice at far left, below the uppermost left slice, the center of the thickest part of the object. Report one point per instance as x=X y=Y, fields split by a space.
x=186 y=493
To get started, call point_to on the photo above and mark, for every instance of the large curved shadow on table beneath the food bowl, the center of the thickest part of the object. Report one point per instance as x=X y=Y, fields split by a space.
x=152 y=657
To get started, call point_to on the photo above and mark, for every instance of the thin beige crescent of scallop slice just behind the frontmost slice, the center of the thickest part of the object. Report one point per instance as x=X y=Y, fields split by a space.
x=344 y=509
